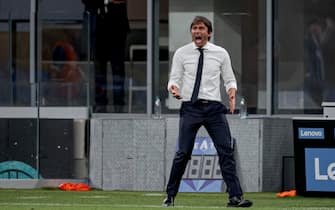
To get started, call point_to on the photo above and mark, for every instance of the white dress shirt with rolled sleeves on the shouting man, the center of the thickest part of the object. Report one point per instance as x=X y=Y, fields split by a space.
x=217 y=64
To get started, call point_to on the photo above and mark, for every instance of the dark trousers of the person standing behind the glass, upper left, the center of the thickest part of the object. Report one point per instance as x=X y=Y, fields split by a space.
x=110 y=48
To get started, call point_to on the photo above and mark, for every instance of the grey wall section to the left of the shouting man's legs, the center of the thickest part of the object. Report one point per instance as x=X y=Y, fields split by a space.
x=127 y=154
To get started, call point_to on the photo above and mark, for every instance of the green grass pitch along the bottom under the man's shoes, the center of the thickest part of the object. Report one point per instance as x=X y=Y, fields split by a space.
x=54 y=199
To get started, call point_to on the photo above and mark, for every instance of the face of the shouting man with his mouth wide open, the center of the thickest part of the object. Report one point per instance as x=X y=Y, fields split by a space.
x=200 y=34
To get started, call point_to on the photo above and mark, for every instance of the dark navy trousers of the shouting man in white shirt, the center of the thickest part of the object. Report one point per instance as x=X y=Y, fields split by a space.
x=209 y=114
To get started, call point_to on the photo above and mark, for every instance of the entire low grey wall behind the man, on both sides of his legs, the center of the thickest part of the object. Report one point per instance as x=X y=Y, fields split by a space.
x=136 y=154
